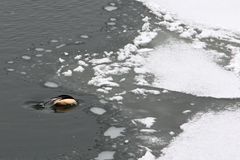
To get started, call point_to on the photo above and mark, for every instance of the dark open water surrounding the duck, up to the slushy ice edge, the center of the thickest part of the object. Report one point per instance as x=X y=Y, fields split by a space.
x=29 y=24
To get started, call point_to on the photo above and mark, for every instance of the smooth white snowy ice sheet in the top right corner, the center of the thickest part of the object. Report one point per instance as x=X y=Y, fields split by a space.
x=212 y=13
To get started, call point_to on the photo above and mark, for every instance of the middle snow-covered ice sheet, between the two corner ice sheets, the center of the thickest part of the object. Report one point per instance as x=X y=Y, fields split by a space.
x=180 y=67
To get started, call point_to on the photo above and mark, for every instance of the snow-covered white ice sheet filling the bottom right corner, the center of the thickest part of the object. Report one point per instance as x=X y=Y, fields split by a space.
x=211 y=136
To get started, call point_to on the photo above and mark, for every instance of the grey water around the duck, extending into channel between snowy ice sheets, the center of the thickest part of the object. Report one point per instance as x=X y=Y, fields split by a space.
x=33 y=35
